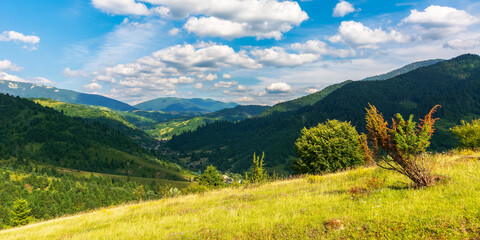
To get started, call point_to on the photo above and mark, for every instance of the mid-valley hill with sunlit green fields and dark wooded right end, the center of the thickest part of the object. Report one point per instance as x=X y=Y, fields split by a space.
x=177 y=126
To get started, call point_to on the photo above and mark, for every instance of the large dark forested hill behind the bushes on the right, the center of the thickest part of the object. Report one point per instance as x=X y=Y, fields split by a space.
x=454 y=84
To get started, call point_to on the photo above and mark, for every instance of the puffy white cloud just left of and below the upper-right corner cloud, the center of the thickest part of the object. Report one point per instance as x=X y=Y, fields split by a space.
x=356 y=34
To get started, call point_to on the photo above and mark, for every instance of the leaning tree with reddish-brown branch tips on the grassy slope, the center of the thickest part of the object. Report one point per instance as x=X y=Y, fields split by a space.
x=404 y=143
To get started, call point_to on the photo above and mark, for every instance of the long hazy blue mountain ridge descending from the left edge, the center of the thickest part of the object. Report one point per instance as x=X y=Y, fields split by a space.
x=29 y=90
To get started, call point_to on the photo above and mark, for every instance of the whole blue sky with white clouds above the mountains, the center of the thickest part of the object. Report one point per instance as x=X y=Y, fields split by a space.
x=246 y=51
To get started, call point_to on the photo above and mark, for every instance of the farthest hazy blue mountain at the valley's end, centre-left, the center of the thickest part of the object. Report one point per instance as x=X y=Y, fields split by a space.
x=173 y=104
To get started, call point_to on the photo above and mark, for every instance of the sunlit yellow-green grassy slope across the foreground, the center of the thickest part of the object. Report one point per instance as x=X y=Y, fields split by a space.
x=315 y=207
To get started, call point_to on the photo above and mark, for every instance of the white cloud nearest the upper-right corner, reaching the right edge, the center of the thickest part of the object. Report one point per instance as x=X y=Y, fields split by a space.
x=437 y=22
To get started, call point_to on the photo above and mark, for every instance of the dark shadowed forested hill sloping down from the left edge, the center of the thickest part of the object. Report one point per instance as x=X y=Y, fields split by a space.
x=30 y=132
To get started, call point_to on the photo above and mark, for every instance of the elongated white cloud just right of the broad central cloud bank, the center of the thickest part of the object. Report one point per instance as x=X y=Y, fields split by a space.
x=277 y=57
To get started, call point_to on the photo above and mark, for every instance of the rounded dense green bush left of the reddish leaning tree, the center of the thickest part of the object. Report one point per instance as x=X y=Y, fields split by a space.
x=328 y=147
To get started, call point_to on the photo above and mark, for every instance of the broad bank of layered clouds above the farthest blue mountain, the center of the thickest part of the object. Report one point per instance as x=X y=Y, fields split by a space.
x=162 y=71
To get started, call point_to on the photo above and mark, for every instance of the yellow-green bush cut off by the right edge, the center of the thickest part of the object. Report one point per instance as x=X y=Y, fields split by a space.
x=468 y=133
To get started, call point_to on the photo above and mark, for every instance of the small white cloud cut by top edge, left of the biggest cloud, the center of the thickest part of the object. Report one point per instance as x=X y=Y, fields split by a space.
x=121 y=7
